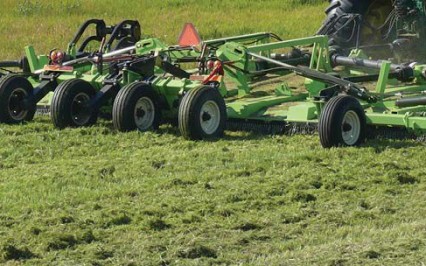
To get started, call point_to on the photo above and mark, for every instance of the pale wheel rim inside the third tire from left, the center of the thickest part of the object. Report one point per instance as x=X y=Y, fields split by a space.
x=144 y=113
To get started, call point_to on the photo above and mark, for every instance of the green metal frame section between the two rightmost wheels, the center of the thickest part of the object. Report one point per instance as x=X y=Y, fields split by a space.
x=264 y=108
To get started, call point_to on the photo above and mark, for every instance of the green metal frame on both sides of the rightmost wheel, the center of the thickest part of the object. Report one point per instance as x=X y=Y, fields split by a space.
x=304 y=107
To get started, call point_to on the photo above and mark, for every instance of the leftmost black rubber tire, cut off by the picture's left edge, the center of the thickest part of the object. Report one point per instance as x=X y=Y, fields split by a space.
x=13 y=90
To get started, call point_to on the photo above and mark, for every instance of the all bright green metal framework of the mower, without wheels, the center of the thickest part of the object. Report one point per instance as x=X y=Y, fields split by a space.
x=285 y=105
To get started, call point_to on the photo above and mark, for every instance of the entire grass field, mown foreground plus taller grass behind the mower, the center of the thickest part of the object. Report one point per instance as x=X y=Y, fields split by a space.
x=93 y=196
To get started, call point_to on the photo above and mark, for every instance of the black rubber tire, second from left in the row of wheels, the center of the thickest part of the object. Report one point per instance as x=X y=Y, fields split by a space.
x=64 y=102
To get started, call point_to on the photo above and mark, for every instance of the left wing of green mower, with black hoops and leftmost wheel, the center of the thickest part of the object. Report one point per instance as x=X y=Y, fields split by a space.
x=21 y=93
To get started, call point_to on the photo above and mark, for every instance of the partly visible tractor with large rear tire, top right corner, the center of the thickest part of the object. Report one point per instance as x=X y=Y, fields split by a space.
x=381 y=28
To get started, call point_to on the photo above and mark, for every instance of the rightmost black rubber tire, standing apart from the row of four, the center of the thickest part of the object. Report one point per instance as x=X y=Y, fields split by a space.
x=331 y=127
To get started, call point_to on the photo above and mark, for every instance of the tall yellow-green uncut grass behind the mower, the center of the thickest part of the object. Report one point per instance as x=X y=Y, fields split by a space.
x=52 y=24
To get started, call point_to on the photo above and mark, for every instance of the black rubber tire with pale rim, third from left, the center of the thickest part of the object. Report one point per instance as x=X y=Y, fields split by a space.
x=125 y=104
